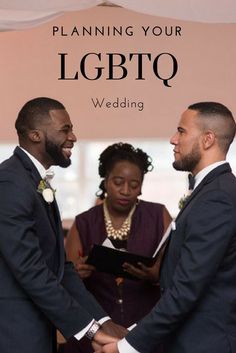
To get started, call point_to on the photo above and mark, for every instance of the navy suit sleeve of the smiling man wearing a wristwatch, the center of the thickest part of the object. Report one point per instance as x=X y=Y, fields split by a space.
x=21 y=252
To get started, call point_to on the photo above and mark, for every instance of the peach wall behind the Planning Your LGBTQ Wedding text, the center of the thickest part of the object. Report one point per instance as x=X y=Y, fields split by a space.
x=29 y=67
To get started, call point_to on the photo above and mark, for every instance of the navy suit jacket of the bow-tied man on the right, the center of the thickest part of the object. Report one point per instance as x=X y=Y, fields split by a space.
x=197 y=310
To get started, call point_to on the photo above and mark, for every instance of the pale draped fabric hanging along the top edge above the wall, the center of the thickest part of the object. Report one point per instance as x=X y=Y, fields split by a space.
x=21 y=14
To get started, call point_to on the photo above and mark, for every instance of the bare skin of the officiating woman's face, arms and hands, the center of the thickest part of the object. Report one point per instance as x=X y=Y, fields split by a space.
x=123 y=185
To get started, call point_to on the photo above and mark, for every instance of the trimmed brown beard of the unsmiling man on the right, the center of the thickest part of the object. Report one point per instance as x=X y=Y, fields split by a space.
x=189 y=162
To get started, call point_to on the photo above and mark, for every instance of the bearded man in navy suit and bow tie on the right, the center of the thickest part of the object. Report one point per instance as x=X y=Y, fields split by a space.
x=197 y=310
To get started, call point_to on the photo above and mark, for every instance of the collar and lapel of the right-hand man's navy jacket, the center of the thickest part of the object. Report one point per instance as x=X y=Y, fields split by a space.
x=222 y=169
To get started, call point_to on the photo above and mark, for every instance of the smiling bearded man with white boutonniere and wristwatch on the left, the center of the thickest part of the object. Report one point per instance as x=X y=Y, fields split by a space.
x=39 y=290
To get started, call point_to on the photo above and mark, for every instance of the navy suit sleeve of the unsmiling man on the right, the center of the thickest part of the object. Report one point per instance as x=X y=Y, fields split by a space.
x=209 y=229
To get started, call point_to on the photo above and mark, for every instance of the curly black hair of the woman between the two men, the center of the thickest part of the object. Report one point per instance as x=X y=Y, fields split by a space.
x=121 y=152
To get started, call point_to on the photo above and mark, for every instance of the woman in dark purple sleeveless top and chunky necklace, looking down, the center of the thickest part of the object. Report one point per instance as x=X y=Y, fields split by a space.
x=129 y=223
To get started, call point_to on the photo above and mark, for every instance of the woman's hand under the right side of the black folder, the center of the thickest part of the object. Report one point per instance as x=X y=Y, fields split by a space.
x=143 y=272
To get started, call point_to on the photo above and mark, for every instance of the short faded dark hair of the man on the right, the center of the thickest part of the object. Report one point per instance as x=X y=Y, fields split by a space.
x=219 y=118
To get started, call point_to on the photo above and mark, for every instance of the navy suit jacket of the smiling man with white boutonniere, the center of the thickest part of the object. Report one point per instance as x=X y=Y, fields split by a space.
x=39 y=290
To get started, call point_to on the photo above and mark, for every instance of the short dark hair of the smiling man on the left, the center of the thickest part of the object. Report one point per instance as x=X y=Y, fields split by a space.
x=33 y=112
